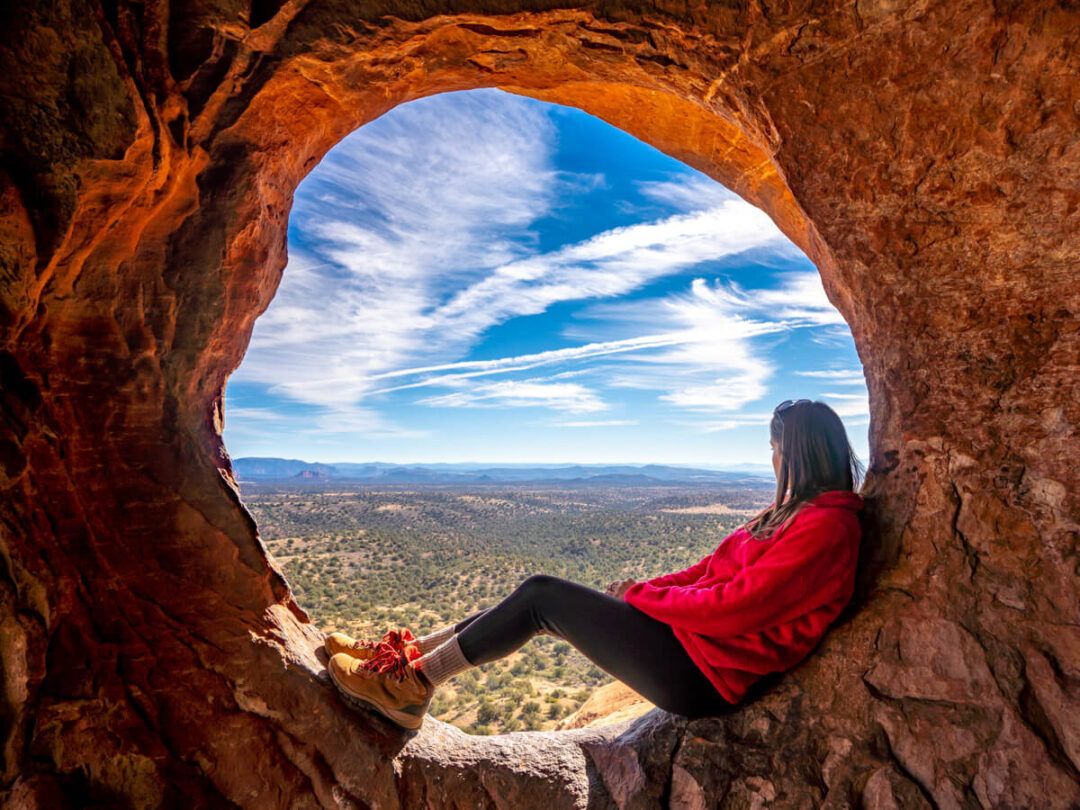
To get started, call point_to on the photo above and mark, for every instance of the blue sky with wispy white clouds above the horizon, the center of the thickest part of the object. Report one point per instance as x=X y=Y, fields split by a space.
x=482 y=277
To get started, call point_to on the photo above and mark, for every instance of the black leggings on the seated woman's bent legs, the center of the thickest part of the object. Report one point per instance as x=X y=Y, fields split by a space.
x=638 y=650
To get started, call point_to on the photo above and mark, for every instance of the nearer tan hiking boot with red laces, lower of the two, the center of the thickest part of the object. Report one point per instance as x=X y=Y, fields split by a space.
x=386 y=683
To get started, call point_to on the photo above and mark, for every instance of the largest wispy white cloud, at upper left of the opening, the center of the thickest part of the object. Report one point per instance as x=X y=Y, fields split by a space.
x=399 y=215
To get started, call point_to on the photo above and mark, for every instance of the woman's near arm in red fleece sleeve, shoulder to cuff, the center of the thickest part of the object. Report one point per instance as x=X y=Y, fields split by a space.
x=812 y=565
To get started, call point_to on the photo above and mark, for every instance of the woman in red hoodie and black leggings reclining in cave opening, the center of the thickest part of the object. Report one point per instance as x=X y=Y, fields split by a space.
x=691 y=642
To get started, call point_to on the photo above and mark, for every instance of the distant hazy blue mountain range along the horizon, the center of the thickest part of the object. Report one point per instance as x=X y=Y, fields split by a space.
x=379 y=472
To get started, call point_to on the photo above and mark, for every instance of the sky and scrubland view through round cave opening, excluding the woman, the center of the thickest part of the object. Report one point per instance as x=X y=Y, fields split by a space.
x=507 y=319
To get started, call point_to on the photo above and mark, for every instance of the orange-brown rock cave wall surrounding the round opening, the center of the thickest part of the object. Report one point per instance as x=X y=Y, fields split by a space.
x=924 y=155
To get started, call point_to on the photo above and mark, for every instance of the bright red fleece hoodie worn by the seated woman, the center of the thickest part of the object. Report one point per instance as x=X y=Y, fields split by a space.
x=759 y=606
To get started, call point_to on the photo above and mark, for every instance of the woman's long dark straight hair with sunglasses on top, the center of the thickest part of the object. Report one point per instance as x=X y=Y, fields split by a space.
x=815 y=457
